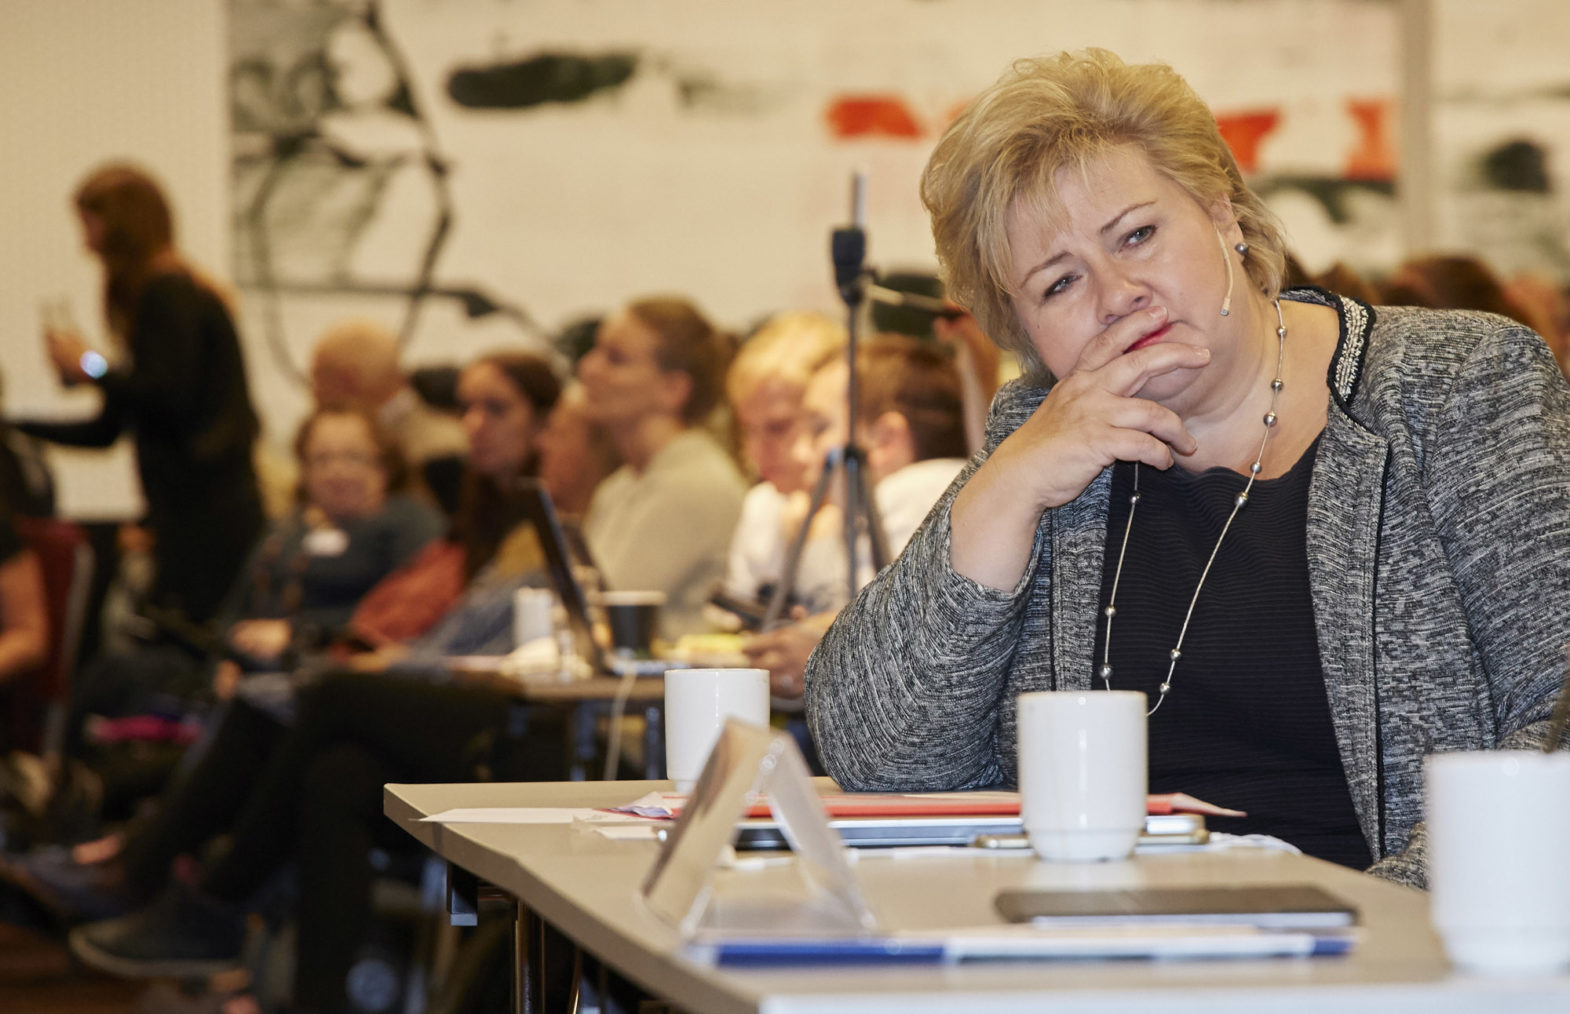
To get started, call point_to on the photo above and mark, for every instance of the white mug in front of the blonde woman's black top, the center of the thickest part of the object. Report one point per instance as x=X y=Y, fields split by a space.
x=1083 y=773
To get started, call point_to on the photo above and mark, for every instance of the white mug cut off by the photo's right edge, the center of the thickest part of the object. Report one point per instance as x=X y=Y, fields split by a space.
x=1499 y=869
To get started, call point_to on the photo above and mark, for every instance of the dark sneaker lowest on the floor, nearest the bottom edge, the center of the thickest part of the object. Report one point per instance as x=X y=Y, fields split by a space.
x=183 y=935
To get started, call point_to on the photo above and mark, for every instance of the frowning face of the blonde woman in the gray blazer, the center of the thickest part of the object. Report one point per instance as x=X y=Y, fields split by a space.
x=1131 y=241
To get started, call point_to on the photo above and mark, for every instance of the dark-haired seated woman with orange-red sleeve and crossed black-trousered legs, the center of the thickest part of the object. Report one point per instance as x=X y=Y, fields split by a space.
x=255 y=778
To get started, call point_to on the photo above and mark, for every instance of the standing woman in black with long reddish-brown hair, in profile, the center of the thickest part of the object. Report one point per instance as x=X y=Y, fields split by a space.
x=180 y=388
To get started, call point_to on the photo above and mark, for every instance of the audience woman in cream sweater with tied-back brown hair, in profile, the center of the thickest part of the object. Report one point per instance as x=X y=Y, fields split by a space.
x=663 y=520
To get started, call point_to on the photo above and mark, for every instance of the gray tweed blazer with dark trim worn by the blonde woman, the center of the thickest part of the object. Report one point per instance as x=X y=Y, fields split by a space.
x=1439 y=552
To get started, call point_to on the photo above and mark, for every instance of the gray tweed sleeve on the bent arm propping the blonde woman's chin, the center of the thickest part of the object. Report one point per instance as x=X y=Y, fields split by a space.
x=904 y=691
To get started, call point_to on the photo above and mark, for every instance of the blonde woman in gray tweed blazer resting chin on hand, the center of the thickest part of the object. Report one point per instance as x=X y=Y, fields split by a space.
x=1304 y=514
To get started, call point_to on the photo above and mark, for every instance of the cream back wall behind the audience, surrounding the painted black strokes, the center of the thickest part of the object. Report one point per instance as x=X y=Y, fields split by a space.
x=568 y=210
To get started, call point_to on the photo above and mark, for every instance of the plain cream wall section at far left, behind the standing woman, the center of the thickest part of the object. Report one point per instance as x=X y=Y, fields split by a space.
x=84 y=82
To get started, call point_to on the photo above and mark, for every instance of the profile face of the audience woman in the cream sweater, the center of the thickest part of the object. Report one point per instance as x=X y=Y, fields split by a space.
x=623 y=379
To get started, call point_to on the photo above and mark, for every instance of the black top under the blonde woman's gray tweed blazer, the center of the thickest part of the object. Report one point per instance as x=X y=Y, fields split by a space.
x=1247 y=721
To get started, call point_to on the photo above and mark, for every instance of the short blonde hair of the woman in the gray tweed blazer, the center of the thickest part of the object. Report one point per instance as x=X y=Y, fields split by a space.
x=1065 y=112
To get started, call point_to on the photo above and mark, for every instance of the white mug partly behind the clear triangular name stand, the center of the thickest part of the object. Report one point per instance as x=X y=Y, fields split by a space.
x=698 y=704
